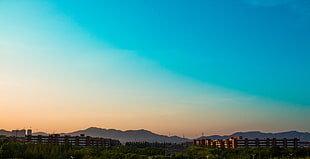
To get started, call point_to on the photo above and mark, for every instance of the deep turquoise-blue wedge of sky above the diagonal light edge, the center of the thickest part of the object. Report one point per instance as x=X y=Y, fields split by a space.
x=257 y=48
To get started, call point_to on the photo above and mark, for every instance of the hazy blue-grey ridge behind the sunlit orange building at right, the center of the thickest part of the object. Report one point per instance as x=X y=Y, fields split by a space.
x=303 y=136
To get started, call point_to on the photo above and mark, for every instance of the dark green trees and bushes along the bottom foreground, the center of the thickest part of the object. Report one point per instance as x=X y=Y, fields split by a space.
x=16 y=150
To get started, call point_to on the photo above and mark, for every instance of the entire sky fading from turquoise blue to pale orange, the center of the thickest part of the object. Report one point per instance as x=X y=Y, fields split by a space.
x=173 y=67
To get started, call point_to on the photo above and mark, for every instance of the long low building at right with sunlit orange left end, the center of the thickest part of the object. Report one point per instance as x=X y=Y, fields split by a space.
x=245 y=142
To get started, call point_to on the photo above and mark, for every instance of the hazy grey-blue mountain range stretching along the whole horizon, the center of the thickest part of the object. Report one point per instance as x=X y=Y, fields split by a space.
x=148 y=136
